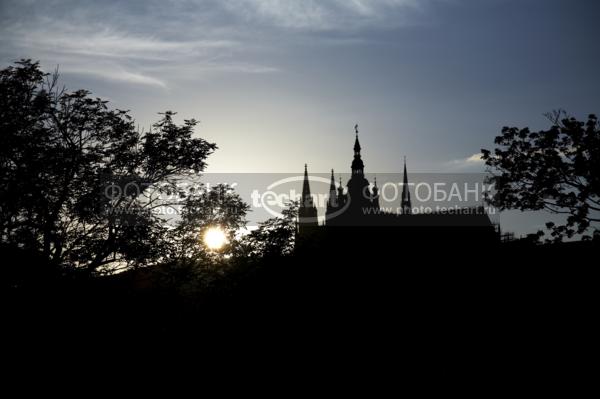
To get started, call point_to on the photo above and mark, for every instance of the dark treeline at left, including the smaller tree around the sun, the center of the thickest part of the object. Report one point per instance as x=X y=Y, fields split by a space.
x=83 y=189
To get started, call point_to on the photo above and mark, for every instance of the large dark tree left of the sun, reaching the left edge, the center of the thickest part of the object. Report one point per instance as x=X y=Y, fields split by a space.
x=79 y=183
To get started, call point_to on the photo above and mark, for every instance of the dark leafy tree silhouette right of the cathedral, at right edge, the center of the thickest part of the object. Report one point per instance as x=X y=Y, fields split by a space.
x=554 y=170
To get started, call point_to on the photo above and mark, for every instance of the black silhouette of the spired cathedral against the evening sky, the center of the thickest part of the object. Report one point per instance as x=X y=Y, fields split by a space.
x=354 y=215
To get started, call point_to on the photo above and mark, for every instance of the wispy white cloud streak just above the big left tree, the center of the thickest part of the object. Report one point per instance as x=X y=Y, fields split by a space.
x=121 y=56
